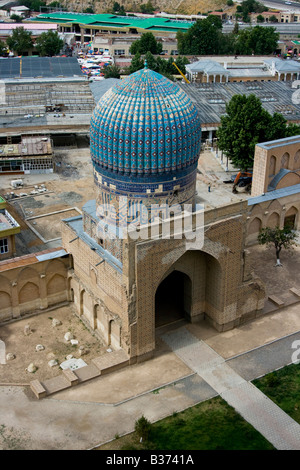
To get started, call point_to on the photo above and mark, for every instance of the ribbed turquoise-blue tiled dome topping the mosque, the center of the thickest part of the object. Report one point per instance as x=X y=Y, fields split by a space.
x=145 y=125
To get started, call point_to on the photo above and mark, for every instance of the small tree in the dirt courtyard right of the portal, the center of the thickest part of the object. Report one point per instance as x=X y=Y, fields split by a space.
x=277 y=238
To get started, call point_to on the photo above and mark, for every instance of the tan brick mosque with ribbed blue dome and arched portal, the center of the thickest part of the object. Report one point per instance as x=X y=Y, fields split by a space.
x=145 y=139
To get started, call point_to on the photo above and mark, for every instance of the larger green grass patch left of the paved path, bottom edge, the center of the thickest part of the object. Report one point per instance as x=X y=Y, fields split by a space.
x=211 y=425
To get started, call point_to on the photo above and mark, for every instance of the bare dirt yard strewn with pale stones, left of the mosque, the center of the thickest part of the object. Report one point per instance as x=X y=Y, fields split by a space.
x=23 y=347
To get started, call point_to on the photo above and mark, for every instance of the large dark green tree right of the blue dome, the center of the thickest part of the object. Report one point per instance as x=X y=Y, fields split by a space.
x=245 y=124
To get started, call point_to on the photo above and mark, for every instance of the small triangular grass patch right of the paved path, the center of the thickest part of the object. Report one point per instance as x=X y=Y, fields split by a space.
x=283 y=388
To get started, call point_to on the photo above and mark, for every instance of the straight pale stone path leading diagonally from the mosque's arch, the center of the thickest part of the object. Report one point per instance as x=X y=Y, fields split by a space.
x=263 y=414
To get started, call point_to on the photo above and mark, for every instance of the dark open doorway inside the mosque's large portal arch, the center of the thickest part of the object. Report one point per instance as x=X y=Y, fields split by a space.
x=173 y=298
